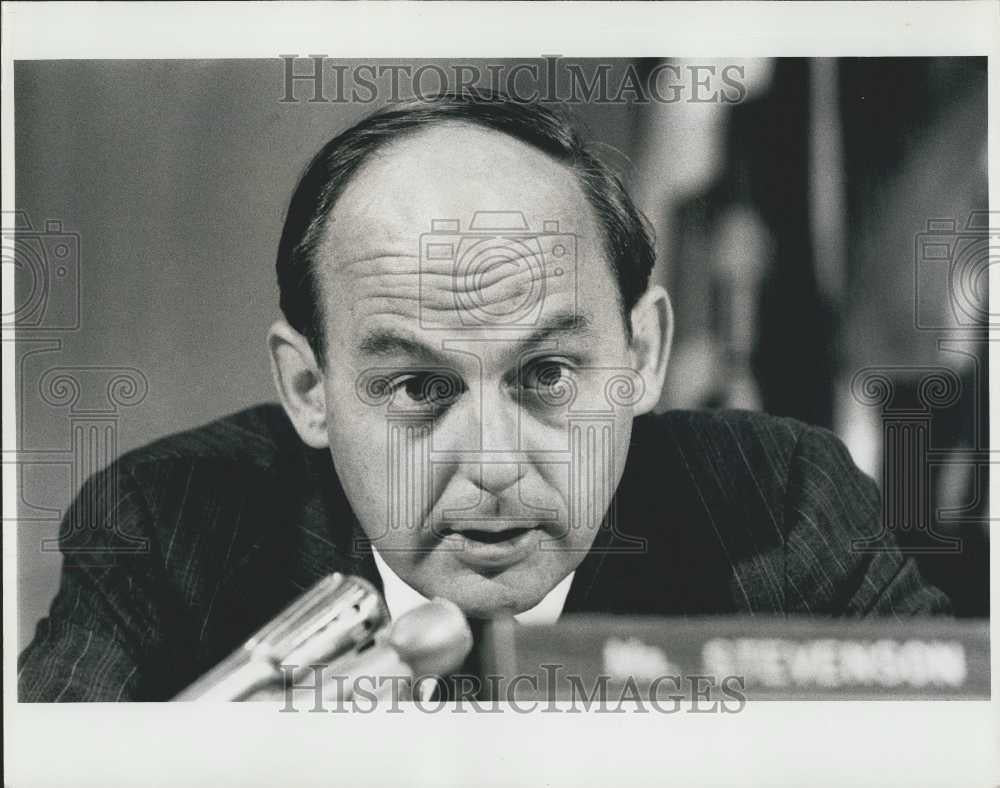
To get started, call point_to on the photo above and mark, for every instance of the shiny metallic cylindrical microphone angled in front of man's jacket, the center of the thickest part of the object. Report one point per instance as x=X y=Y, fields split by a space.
x=337 y=617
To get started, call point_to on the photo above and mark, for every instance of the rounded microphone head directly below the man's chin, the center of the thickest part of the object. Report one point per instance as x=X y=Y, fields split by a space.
x=433 y=639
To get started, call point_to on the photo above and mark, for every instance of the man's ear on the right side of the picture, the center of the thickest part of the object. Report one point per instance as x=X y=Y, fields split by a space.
x=652 y=335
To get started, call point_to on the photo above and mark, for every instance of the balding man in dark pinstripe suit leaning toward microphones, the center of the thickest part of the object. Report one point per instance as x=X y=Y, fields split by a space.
x=468 y=365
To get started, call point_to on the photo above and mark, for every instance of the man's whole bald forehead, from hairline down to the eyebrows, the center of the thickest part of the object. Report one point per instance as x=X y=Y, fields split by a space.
x=461 y=231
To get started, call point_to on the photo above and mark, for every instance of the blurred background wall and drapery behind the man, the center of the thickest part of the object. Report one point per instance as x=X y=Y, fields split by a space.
x=791 y=224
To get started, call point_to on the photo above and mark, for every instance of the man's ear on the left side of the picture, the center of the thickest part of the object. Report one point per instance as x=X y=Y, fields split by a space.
x=299 y=380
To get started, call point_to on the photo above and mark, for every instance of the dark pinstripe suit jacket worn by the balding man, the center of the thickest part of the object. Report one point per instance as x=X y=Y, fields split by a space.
x=181 y=549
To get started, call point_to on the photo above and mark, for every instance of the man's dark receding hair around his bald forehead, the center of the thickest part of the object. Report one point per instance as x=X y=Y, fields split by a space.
x=627 y=241
